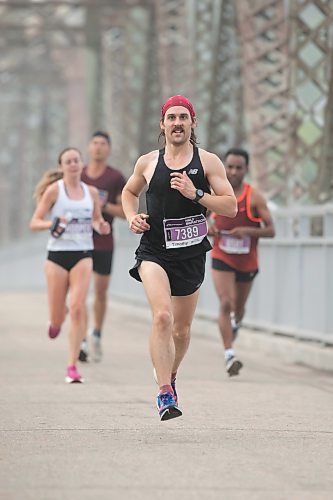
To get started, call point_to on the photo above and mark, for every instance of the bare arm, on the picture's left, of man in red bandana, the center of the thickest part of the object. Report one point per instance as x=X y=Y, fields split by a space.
x=130 y=198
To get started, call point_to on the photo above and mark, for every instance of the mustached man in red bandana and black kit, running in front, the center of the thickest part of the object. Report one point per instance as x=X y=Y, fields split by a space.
x=170 y=259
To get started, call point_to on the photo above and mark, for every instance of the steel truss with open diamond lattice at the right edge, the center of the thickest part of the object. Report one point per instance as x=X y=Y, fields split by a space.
x=311 y=44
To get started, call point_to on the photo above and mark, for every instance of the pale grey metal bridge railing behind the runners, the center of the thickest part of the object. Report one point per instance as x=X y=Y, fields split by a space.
x=293 y=292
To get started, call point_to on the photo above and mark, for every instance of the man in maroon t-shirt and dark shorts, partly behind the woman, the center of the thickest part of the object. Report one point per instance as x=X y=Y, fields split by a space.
x=109 y=182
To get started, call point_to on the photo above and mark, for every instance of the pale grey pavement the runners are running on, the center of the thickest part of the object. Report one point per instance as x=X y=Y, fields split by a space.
x=264 y=435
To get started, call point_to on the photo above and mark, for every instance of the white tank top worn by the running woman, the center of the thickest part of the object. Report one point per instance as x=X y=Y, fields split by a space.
x=78 y=232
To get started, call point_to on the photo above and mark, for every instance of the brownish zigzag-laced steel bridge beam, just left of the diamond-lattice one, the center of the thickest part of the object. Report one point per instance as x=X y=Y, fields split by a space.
x=265 y=67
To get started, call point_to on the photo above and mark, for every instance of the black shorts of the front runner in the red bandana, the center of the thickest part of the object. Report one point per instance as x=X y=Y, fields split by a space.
x=185 y=276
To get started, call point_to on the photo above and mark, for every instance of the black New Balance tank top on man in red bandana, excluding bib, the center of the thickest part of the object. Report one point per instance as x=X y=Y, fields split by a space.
x=163 y=202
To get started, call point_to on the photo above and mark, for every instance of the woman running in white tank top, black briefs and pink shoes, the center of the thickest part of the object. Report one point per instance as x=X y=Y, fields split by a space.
x=74 y=210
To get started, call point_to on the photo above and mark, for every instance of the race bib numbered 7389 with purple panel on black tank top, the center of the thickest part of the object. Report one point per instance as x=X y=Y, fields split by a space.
x=184 y=232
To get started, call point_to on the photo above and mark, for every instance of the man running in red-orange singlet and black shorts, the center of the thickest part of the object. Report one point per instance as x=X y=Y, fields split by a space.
x=234 y=254
